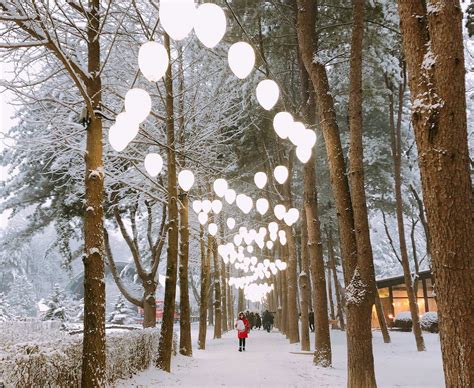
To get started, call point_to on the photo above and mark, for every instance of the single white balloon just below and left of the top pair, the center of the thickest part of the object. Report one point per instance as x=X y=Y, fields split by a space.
x=153 y=60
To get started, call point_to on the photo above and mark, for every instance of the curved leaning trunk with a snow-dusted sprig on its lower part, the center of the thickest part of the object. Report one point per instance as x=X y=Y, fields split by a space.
x=359 y=335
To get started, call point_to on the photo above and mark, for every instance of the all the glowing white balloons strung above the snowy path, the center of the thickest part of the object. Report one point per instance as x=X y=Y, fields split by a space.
x=179 y=18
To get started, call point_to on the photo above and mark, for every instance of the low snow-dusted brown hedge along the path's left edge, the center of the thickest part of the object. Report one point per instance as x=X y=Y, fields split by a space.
x=50 y=357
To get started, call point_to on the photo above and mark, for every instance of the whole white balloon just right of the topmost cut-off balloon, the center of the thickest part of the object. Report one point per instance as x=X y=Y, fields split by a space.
x=210 y=24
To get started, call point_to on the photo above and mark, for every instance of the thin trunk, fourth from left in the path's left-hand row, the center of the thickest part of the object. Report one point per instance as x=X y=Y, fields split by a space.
x=205 y=282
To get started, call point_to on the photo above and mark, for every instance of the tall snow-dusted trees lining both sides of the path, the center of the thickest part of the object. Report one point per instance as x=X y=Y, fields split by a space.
x=332 y=61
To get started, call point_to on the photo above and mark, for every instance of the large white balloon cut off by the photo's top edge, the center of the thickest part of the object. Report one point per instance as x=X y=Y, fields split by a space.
x=177 y=17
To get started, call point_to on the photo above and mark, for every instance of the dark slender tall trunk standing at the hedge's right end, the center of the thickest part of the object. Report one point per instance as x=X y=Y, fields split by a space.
x=166 y=338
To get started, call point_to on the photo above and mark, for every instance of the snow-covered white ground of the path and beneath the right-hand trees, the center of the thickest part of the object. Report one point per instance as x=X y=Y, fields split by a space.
x=270 y=361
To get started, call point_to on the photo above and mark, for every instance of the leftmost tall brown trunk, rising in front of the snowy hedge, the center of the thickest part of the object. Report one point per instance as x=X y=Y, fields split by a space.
x=93 y=350
